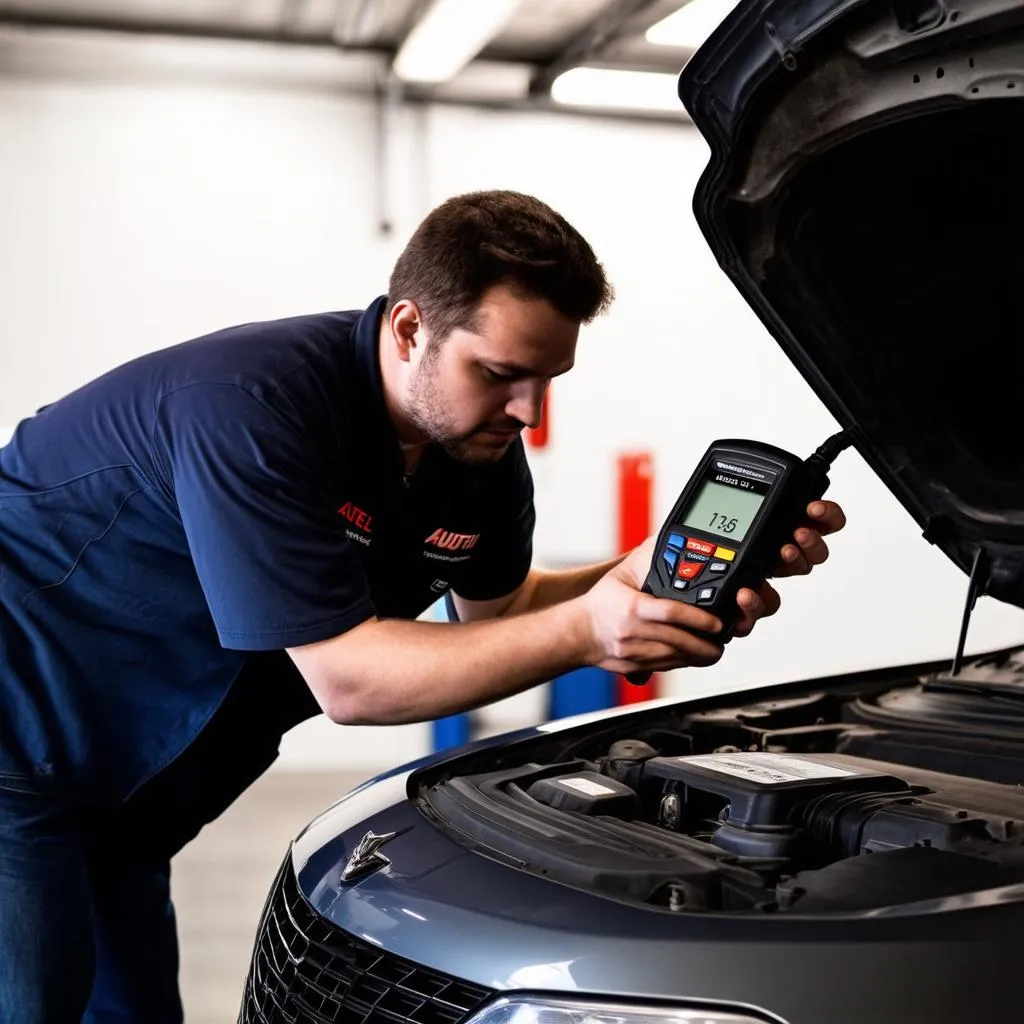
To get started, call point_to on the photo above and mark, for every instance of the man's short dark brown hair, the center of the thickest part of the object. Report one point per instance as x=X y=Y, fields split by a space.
x=474 y=242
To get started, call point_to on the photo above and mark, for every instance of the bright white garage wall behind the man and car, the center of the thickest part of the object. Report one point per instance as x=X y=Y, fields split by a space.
x=140 y=208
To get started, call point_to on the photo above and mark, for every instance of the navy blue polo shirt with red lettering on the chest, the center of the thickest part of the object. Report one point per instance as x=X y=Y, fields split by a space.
x=238 y=494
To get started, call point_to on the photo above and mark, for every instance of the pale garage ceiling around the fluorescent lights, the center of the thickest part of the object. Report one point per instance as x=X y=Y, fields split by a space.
x=543 y=38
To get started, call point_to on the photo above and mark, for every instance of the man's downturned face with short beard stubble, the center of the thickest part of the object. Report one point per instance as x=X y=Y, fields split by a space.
x=475 y=392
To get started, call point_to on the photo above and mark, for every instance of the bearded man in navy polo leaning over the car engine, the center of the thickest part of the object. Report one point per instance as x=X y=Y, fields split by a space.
x=214 y=542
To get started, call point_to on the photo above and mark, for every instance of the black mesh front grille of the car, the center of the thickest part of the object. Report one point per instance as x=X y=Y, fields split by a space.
x=307 y=971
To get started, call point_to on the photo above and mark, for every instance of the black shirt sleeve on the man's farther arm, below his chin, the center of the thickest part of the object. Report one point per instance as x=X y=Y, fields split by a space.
x=505 y=551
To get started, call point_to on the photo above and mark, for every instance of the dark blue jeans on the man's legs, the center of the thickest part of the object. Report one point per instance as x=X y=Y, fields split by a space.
x=88 y=928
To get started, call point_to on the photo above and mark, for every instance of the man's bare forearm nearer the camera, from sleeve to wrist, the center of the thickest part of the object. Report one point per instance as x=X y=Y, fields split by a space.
x=393 y=671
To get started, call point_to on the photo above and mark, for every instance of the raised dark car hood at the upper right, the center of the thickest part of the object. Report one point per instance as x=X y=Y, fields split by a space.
x=865 y=196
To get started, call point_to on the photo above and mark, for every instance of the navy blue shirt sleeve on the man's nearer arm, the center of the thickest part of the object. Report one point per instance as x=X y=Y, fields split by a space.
x=258 y=504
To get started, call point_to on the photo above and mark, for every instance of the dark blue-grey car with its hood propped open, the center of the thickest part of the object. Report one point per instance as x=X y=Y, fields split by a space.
x=838 y=850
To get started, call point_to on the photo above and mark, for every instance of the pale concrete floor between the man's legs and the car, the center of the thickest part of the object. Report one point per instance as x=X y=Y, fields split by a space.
x=221 y=881
